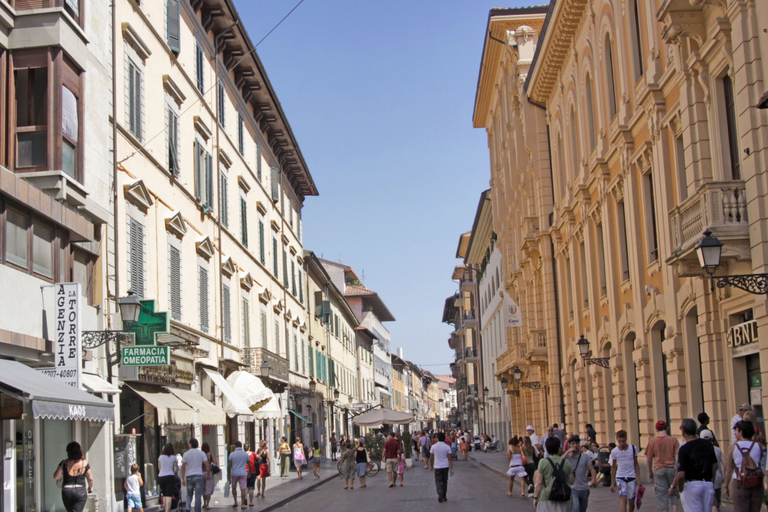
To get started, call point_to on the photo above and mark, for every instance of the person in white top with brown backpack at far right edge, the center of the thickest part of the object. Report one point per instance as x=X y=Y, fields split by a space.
x=744 y=466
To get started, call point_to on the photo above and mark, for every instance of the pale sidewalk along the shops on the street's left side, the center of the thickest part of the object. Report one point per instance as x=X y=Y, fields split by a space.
x=279 y=490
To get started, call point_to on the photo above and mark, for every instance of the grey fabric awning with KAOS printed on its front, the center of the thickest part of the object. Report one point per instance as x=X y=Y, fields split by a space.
x=50 y=398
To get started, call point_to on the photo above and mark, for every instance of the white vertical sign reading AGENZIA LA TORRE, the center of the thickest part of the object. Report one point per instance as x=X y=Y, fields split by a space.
x=68 y=348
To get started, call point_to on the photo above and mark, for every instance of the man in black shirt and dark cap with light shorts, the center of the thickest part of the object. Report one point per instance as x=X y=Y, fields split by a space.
x=697 y=465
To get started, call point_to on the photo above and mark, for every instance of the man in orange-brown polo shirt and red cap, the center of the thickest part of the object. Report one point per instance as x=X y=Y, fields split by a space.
x=662 y=454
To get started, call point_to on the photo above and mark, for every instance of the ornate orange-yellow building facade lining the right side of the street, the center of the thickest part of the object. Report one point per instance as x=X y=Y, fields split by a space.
x=630 y=131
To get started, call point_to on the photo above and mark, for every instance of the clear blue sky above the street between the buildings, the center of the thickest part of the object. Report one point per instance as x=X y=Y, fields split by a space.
x=380 y=97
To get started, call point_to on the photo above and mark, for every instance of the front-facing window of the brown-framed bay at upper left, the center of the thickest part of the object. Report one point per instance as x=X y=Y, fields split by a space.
x=31 y=85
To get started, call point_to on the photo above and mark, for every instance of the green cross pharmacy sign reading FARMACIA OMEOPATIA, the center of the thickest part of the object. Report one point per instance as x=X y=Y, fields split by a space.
x=146 y=351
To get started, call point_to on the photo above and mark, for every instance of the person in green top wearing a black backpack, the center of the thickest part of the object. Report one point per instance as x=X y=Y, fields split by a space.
x=554 y=478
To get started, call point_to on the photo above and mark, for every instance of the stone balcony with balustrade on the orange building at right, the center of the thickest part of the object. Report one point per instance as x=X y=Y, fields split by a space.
x=720 y=206
